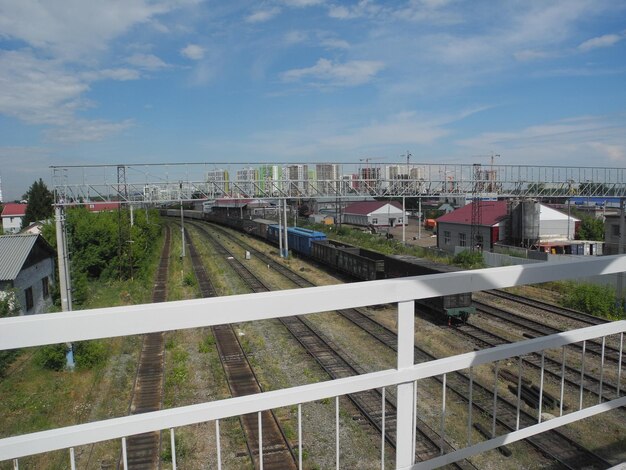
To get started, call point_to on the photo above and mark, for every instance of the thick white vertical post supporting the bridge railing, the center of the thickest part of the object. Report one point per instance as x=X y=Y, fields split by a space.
x=405 y=427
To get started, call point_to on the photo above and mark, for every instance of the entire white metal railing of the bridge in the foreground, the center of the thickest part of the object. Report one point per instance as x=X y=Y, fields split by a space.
x=37 y=330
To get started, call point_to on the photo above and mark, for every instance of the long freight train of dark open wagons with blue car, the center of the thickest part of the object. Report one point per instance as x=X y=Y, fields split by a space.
x=354 y=261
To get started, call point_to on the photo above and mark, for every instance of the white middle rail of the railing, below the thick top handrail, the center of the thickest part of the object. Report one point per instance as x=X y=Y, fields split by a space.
x=71 y=436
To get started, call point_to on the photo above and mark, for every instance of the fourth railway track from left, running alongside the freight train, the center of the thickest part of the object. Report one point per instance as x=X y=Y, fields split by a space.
x=553 y=444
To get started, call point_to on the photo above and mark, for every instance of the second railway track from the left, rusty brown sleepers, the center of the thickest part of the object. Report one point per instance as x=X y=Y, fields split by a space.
x=276 y=451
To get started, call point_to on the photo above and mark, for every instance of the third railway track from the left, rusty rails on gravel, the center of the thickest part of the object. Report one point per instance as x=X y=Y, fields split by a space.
x=338 y=364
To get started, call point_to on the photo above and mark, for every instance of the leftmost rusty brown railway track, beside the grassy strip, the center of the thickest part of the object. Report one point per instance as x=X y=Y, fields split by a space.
x=143 y=451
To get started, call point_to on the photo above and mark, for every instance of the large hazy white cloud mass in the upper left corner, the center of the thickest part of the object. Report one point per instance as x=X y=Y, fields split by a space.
x=45 y=82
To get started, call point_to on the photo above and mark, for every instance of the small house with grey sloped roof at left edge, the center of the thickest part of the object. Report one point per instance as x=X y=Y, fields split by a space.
x=27 y=268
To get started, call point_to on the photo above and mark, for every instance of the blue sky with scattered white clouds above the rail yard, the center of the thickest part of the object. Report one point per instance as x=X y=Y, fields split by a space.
x=154 y=81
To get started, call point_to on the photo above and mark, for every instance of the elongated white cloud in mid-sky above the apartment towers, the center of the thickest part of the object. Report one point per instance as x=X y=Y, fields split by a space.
x=356 y=72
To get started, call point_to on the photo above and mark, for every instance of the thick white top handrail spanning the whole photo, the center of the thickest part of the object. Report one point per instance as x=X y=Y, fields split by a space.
x=35 y=330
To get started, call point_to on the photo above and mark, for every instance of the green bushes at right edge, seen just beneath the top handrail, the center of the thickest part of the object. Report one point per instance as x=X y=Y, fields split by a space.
x=593 y=299
